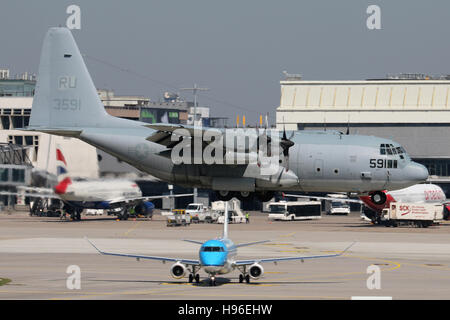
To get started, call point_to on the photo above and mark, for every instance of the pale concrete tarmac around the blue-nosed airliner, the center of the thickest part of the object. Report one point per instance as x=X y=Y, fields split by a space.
x=36 y=255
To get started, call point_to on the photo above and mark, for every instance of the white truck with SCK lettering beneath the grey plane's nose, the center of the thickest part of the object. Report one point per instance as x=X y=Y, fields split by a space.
x=413 y=214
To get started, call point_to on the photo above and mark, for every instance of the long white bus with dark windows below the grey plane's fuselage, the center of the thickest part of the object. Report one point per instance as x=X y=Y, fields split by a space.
x=295 y=210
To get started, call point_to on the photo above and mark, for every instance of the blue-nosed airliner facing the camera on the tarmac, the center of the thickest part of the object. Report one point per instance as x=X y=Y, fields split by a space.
x=216 y=257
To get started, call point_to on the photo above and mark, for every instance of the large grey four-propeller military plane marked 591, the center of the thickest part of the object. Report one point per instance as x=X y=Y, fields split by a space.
x=66 y=103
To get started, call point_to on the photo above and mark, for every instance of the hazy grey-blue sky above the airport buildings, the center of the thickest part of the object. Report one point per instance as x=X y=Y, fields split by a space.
x=238 y=49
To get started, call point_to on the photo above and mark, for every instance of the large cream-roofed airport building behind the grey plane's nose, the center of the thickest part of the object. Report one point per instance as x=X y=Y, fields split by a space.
x=411 y=109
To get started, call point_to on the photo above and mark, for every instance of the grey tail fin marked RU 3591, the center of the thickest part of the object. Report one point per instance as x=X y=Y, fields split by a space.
x=65 y=96
